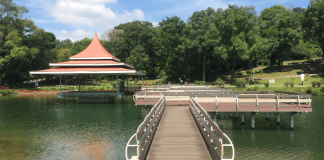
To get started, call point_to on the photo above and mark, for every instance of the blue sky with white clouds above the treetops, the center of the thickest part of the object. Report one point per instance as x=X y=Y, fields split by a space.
x=77 y=19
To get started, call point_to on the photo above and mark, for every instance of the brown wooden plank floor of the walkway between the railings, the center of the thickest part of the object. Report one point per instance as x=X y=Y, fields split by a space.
x=178 y=137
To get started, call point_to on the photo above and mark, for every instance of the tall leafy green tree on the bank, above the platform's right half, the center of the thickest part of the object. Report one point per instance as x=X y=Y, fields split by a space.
x=234 y=32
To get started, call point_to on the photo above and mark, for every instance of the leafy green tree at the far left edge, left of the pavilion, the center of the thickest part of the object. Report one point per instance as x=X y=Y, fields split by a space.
x=15 y=56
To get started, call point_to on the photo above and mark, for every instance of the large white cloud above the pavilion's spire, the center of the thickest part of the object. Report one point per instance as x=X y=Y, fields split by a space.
x=91 y=13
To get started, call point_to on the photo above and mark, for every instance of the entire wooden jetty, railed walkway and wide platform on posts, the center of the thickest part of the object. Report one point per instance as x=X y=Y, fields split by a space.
x=178 y=126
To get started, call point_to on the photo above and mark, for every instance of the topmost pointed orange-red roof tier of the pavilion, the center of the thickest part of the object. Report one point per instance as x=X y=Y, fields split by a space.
x=94 y=51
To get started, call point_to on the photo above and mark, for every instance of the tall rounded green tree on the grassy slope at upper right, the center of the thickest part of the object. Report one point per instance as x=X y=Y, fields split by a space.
x=282 y=28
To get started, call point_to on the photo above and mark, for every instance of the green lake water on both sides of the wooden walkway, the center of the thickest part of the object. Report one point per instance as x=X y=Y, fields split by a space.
x=44 y=127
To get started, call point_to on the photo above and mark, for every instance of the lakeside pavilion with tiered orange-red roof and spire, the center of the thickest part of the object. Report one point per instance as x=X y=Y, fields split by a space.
x=94 y=60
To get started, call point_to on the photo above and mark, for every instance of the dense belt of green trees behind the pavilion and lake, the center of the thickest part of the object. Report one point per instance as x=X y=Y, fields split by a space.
x=210 y=43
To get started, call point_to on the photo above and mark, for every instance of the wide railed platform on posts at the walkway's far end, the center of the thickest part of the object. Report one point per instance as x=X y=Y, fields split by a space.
x=222 y=100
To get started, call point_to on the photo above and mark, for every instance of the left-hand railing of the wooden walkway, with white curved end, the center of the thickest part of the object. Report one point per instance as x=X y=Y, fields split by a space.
x=145 y=132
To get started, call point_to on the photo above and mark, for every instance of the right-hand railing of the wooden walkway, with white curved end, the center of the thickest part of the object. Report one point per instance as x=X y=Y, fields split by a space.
x=212 y=134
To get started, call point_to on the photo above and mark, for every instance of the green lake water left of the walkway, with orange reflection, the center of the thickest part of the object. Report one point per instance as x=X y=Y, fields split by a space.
x=44 y=127
